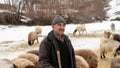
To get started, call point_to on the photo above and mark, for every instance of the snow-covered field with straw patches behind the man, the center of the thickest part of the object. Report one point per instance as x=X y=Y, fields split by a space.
x=13 y=39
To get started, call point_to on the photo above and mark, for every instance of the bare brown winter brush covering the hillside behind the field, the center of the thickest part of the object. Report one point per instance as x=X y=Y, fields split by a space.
x=39 y=12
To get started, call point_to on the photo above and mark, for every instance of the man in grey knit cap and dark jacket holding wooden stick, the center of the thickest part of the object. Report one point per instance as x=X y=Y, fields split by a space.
x=56 y=50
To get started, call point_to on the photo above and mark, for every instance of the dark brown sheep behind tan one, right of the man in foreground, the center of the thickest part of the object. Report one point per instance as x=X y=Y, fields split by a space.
x=90 y=56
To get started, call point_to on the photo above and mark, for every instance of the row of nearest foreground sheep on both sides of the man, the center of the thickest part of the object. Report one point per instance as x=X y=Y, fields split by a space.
x=84 y=59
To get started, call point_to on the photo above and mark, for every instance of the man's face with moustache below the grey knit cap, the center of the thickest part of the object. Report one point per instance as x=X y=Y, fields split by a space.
x=59 y=28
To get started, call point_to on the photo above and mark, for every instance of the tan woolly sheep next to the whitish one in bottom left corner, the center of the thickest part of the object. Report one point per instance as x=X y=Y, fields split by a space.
x=23 y=63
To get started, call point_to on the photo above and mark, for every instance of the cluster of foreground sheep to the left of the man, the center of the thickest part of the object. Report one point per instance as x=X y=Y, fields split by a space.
x=27 y=60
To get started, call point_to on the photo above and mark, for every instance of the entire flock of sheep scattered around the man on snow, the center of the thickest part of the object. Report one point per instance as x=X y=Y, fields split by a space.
x=85 y=58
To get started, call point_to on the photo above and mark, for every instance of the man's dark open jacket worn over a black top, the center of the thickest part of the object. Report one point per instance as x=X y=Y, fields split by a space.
x=48 y=52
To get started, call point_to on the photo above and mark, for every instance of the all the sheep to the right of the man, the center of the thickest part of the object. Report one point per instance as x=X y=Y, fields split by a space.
x=109 y=44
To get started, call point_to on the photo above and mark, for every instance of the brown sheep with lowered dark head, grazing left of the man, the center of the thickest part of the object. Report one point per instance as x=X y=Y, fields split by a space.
x=32 y=37
